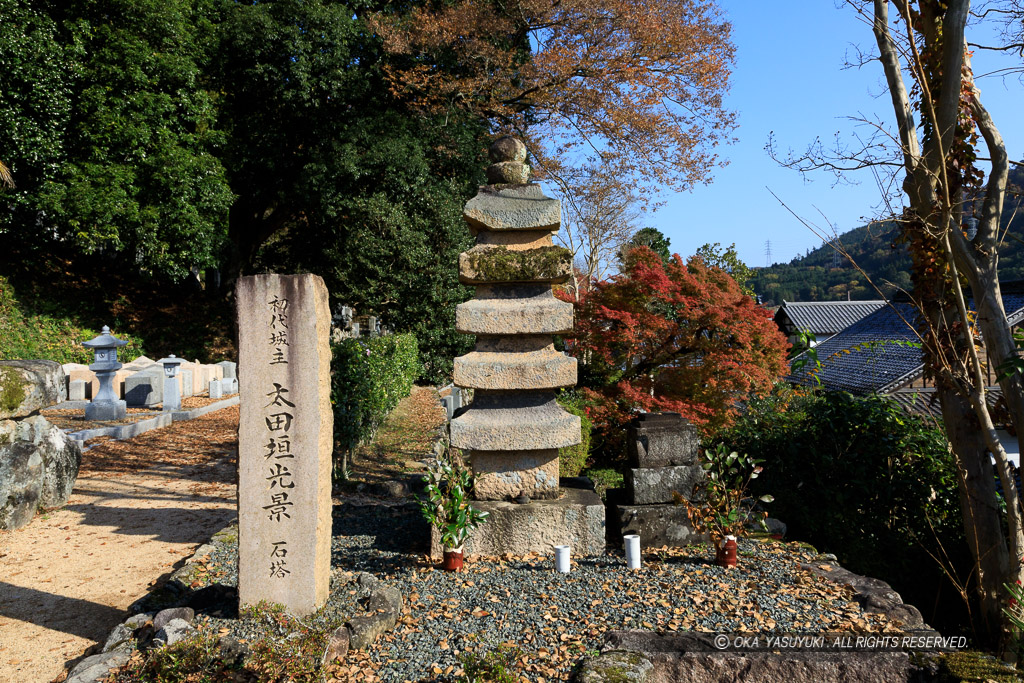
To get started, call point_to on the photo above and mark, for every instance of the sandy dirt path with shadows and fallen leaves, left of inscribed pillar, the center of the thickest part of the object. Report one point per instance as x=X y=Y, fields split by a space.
x=139 y=508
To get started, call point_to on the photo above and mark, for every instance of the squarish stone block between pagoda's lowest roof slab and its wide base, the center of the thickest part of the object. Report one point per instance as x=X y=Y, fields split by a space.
x=506 y=476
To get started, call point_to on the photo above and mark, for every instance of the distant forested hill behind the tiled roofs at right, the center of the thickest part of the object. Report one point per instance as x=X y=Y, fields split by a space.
x=824 y=275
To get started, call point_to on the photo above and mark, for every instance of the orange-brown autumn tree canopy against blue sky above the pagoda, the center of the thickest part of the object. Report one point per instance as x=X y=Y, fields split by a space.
x=642 y=80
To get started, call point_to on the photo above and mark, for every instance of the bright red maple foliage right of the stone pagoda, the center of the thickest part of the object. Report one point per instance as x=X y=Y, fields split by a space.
x=680 y=337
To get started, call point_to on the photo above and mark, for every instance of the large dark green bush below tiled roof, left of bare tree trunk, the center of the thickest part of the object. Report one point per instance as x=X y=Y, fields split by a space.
x=860 y=478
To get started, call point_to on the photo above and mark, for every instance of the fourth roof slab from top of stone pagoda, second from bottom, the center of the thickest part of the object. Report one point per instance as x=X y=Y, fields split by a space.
x=546 y=369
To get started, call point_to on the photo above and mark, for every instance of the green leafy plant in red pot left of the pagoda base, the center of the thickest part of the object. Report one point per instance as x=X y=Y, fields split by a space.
x=447 y=506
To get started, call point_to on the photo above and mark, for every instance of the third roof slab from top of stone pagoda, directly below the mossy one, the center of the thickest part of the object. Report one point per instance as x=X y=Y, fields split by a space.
x=537 y=316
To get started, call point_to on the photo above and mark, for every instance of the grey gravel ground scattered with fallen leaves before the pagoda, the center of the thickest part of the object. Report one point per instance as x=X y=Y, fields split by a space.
x=554 y=619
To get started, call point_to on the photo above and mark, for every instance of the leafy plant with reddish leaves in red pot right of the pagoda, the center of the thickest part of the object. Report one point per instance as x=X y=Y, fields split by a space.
x=720 y=510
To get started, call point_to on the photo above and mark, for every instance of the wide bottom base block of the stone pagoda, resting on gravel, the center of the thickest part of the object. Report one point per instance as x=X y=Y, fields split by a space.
x=576 y=520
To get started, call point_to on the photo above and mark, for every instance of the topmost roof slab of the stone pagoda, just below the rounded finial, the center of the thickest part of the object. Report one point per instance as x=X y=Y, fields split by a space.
x=520 y=208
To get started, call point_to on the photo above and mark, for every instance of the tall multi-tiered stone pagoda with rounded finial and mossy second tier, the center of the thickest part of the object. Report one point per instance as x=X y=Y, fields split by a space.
x=514 y=430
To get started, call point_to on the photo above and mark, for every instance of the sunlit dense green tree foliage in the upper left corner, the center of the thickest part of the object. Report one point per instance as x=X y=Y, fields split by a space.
x=132 y=170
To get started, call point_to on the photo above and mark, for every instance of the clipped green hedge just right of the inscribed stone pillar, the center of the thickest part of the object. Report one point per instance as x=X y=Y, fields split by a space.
x=369 y=377
